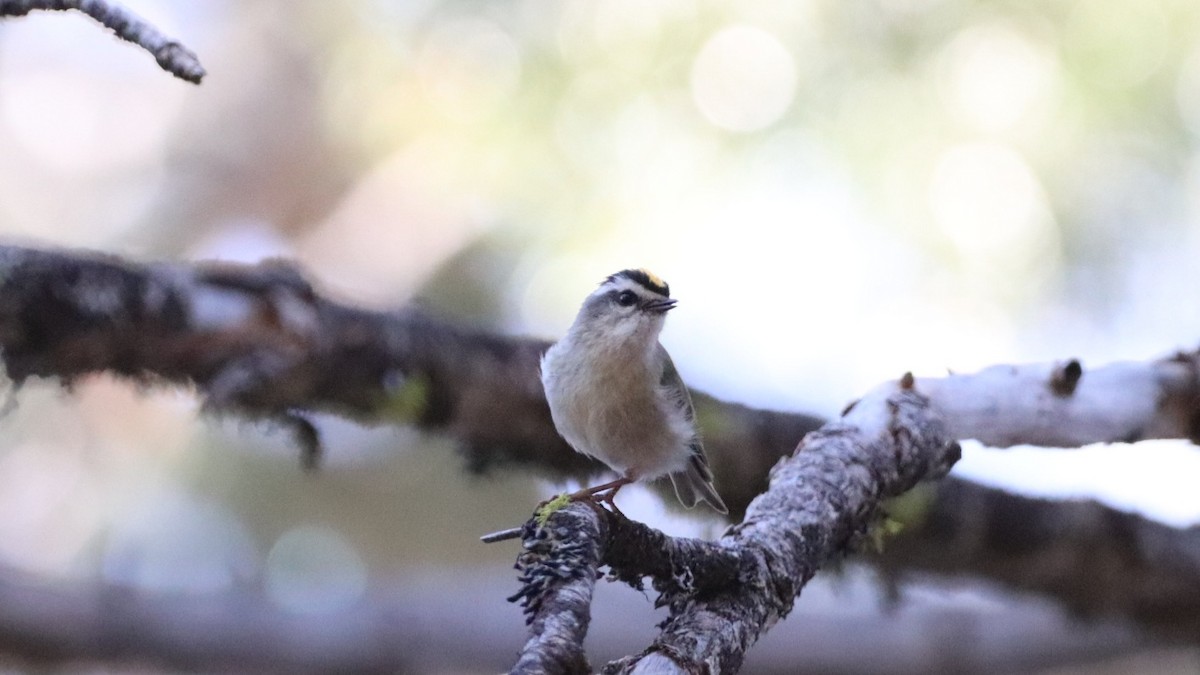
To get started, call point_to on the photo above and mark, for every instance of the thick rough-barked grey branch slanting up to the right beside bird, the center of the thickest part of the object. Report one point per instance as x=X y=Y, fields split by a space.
x=821 y=500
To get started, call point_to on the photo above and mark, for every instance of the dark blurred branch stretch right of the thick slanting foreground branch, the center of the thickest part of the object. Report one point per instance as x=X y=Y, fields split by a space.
x=1096 y=560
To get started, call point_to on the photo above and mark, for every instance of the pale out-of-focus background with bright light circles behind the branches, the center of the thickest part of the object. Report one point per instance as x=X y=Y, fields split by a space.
x=837 y=193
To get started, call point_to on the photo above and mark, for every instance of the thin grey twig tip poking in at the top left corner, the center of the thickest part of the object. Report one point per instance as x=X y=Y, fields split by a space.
x=172 y=56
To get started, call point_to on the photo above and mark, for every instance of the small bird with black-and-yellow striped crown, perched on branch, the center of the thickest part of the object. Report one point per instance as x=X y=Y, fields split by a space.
x=616 y=396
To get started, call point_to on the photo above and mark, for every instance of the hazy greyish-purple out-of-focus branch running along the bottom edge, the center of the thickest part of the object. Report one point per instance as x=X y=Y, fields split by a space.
x=242 y=630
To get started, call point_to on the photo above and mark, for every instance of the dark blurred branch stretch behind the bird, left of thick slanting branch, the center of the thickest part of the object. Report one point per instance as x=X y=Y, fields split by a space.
x=260 y=342
